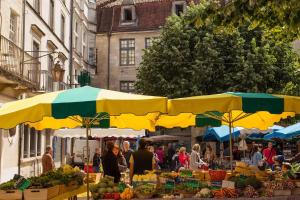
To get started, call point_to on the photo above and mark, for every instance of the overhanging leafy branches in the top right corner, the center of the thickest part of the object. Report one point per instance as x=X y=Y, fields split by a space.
x=280 y=18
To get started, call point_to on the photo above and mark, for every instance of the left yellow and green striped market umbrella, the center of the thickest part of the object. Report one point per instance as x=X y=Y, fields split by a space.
x=68 y=109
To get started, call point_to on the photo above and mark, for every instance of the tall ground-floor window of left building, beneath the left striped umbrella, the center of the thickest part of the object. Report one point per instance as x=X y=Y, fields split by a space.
x=32 y=142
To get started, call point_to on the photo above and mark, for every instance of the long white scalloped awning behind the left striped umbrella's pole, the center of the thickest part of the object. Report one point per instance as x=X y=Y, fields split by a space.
x=99 y=133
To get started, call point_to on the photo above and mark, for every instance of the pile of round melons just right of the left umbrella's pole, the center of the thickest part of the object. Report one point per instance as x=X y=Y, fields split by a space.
x=105 y=189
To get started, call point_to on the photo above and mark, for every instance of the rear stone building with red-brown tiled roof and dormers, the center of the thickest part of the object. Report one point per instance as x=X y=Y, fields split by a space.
x=124 y=29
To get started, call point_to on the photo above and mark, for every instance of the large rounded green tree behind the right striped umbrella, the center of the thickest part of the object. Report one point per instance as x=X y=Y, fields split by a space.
x=189 y=59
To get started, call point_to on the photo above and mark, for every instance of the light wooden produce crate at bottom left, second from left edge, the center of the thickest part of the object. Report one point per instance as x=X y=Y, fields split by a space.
x=41 y=194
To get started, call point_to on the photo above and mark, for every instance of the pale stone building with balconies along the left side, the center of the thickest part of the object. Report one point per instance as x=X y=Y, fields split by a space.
x=46 y=43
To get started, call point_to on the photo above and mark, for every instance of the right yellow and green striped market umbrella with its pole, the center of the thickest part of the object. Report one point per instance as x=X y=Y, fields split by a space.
x=247 y=110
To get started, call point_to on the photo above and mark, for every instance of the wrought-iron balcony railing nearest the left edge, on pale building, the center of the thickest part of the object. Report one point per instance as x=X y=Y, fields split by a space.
x=11 y=59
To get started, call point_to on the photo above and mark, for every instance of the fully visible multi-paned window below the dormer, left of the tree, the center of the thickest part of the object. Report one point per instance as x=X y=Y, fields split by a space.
x=127 y=52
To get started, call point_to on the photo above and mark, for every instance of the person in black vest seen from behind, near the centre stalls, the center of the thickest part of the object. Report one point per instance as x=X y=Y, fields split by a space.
x=141 y=160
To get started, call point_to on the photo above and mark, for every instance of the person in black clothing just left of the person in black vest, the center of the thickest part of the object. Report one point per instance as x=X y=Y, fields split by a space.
x=110 y=162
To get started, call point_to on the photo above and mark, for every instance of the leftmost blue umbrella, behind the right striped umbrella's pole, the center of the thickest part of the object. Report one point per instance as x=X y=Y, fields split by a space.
x=220 y=134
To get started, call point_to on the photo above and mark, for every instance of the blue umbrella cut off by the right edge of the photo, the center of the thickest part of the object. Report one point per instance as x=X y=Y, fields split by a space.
x=286 y=133
